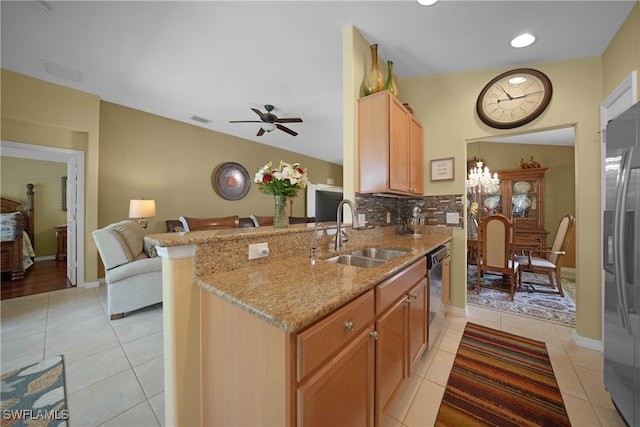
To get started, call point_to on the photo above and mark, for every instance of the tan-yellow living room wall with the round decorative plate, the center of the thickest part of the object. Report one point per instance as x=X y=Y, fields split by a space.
x=144 y=155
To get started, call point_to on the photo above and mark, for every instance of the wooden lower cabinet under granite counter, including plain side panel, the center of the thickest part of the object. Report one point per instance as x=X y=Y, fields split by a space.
x=344 y=370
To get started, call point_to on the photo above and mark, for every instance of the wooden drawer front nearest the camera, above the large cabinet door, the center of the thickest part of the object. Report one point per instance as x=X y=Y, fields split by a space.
x=323 y=339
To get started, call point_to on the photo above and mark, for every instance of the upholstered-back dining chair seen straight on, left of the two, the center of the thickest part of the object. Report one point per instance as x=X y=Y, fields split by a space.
x=496 y=254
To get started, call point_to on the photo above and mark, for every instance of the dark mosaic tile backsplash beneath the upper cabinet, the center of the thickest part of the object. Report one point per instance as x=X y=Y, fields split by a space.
x=378 y=208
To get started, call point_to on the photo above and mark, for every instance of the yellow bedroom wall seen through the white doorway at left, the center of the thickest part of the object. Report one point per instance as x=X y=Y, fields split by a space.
x=45 y=176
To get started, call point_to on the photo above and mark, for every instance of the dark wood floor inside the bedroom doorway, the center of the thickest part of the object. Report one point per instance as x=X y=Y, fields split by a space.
x=42 y=276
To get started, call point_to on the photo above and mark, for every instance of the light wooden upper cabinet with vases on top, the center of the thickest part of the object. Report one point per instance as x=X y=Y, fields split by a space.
x=389 y=147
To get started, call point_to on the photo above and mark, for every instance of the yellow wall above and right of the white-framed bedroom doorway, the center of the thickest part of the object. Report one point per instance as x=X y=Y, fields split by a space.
x=41 y=113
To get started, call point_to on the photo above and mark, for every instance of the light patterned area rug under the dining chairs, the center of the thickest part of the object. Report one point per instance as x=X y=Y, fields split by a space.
x=548 y=307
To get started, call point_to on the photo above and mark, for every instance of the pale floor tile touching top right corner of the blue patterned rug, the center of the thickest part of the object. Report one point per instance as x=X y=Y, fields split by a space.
x=95 y=368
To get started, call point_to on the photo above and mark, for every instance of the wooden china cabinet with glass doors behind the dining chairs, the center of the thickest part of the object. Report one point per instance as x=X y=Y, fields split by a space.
x=520 y=197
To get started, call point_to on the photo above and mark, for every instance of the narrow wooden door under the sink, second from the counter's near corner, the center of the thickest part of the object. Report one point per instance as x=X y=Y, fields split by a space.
x=391 y=355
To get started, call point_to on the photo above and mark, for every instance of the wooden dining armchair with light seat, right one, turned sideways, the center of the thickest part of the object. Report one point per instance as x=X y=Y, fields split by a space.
x=548 y=261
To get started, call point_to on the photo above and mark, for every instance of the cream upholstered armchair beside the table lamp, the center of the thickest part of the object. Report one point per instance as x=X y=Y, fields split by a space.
x=132 y=271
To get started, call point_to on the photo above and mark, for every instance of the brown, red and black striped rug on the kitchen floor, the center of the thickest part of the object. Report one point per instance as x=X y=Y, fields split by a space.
x=500 y=379
